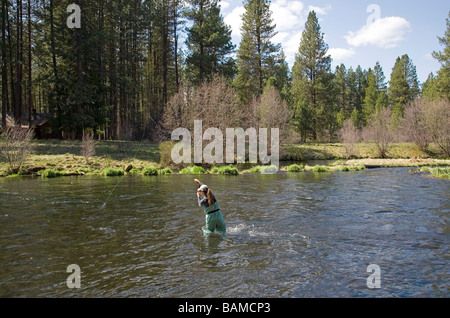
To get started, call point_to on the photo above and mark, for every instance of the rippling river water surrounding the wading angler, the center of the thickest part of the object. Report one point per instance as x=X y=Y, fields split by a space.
x=289 y=235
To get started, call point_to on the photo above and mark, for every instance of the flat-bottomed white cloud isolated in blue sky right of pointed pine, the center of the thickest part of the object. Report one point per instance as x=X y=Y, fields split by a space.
x=384 y=33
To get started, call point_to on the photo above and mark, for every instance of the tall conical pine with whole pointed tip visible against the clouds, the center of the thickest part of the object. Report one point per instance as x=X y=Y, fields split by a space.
x=311 y=76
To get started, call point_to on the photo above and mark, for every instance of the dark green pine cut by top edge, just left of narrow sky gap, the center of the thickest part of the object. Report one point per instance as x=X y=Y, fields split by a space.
x=209 y=42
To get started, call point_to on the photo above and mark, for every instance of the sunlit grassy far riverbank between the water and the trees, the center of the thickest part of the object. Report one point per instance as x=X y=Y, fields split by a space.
x=54 y=158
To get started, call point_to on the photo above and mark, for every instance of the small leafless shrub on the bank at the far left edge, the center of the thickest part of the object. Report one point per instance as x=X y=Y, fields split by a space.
x=15 y=146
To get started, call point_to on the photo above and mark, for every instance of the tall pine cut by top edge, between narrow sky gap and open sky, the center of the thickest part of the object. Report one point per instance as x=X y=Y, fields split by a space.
x=257 y=54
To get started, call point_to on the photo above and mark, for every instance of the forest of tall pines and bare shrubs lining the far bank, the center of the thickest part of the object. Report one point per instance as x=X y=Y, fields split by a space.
x=137 y=69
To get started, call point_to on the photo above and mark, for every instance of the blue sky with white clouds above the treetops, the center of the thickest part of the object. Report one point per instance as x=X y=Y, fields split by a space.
x=359 y=32
